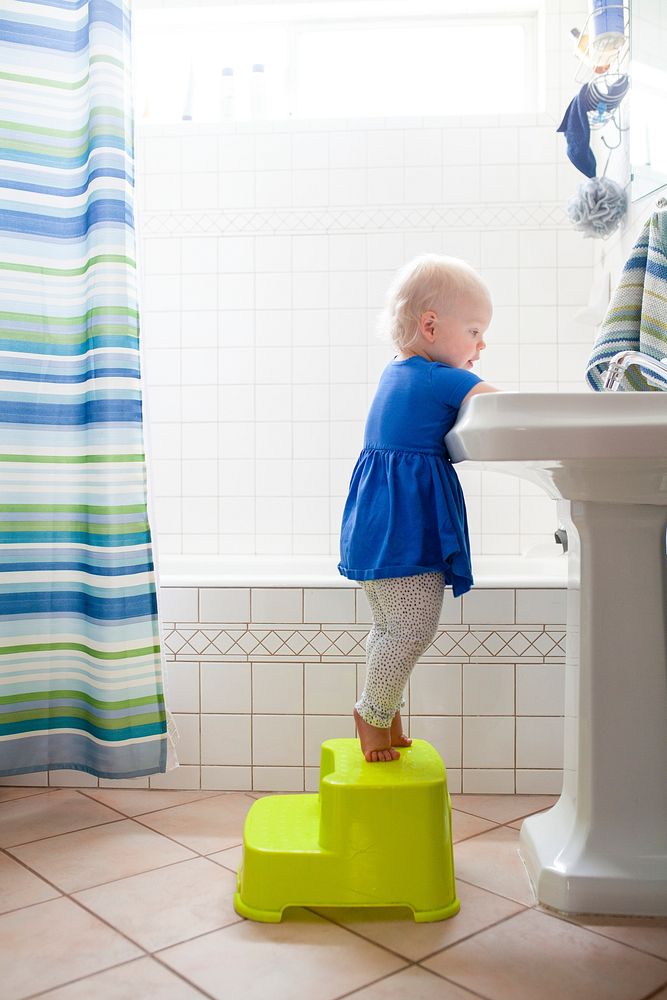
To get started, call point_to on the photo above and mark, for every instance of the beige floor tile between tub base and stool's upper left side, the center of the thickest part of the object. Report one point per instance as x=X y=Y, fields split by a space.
x=207 y=825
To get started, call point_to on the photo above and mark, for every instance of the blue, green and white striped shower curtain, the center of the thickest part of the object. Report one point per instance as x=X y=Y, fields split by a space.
x=80 y=663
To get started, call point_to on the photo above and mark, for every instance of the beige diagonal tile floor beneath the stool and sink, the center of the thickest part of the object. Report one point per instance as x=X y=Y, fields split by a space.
x=124 y=894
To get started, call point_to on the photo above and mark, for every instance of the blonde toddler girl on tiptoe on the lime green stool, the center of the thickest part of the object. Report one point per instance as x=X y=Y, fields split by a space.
x=404 y=533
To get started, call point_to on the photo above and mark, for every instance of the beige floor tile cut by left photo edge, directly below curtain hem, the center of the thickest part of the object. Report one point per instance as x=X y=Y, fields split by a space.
x=36 y=816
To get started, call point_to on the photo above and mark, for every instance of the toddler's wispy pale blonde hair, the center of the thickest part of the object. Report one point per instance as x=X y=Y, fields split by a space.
x=431 y=281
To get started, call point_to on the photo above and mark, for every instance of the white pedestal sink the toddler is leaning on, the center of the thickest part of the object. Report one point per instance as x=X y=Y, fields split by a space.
x=603 y=847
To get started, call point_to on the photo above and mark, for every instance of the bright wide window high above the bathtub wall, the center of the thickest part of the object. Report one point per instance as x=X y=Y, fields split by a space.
x=331 y=60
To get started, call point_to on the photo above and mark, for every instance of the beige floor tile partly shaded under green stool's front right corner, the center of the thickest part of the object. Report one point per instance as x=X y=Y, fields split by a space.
x=397 y=930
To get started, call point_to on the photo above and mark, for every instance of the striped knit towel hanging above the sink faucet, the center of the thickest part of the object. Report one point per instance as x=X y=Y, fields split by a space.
x=636 y=319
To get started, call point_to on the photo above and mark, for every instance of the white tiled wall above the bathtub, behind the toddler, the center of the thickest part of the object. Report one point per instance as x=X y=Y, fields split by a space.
x=266 y=252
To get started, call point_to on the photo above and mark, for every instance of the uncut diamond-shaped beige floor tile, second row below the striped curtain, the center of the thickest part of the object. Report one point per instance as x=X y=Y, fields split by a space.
x=80 y=860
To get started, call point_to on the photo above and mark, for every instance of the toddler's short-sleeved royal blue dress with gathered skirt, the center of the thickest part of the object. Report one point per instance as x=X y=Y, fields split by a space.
x=405 y=513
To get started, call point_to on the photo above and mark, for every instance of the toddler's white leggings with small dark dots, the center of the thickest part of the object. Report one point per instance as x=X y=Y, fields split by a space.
x=406 y=611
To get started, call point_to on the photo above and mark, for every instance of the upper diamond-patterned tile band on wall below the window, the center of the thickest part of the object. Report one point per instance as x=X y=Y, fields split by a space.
x=354 y=219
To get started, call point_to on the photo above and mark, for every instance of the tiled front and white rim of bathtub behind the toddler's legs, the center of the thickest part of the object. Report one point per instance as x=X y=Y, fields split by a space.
x=258 y=674
